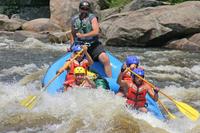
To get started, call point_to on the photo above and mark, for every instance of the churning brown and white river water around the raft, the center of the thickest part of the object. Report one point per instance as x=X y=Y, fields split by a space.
x=22 y=66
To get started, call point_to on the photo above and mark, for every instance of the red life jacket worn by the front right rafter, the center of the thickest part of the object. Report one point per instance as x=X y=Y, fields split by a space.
x=136 y=95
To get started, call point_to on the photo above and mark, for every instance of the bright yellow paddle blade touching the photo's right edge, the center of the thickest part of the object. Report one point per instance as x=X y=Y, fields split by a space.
x=188 y=111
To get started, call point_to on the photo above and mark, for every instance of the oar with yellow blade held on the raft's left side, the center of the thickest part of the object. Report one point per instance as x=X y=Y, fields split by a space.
x=31 y=100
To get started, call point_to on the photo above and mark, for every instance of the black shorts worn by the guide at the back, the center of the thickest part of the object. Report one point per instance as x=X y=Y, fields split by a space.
x=95 y=50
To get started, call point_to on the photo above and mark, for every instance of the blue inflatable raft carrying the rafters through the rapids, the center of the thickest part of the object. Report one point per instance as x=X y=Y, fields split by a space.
x=57 y=85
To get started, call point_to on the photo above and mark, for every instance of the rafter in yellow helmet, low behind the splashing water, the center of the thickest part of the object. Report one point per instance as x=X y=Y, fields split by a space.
x=80 y=80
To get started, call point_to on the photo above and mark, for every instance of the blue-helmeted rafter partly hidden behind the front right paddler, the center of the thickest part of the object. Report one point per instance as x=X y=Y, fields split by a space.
x=131 y=62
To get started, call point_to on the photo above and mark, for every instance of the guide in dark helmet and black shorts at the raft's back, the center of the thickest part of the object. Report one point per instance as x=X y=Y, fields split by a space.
x=85 y=28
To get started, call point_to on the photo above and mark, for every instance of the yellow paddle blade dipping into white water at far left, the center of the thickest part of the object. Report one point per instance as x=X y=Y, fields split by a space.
x=29 y=102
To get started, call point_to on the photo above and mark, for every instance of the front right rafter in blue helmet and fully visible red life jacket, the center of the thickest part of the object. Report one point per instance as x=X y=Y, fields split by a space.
x=137 y=90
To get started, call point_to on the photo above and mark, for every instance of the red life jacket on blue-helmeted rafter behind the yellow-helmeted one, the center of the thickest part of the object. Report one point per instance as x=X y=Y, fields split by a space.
x=74 y=64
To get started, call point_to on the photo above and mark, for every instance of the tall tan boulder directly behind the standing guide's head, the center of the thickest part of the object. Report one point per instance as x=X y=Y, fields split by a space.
x=63 y=10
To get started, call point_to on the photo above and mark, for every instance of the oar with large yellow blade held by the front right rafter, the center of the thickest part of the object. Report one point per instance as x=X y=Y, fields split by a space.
x=186 y=109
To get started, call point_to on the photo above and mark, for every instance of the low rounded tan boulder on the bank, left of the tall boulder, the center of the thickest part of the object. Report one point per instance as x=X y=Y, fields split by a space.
x=40 y=25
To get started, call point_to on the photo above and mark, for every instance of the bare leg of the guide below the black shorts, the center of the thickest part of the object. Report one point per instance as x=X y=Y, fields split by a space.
x=103 y=58
